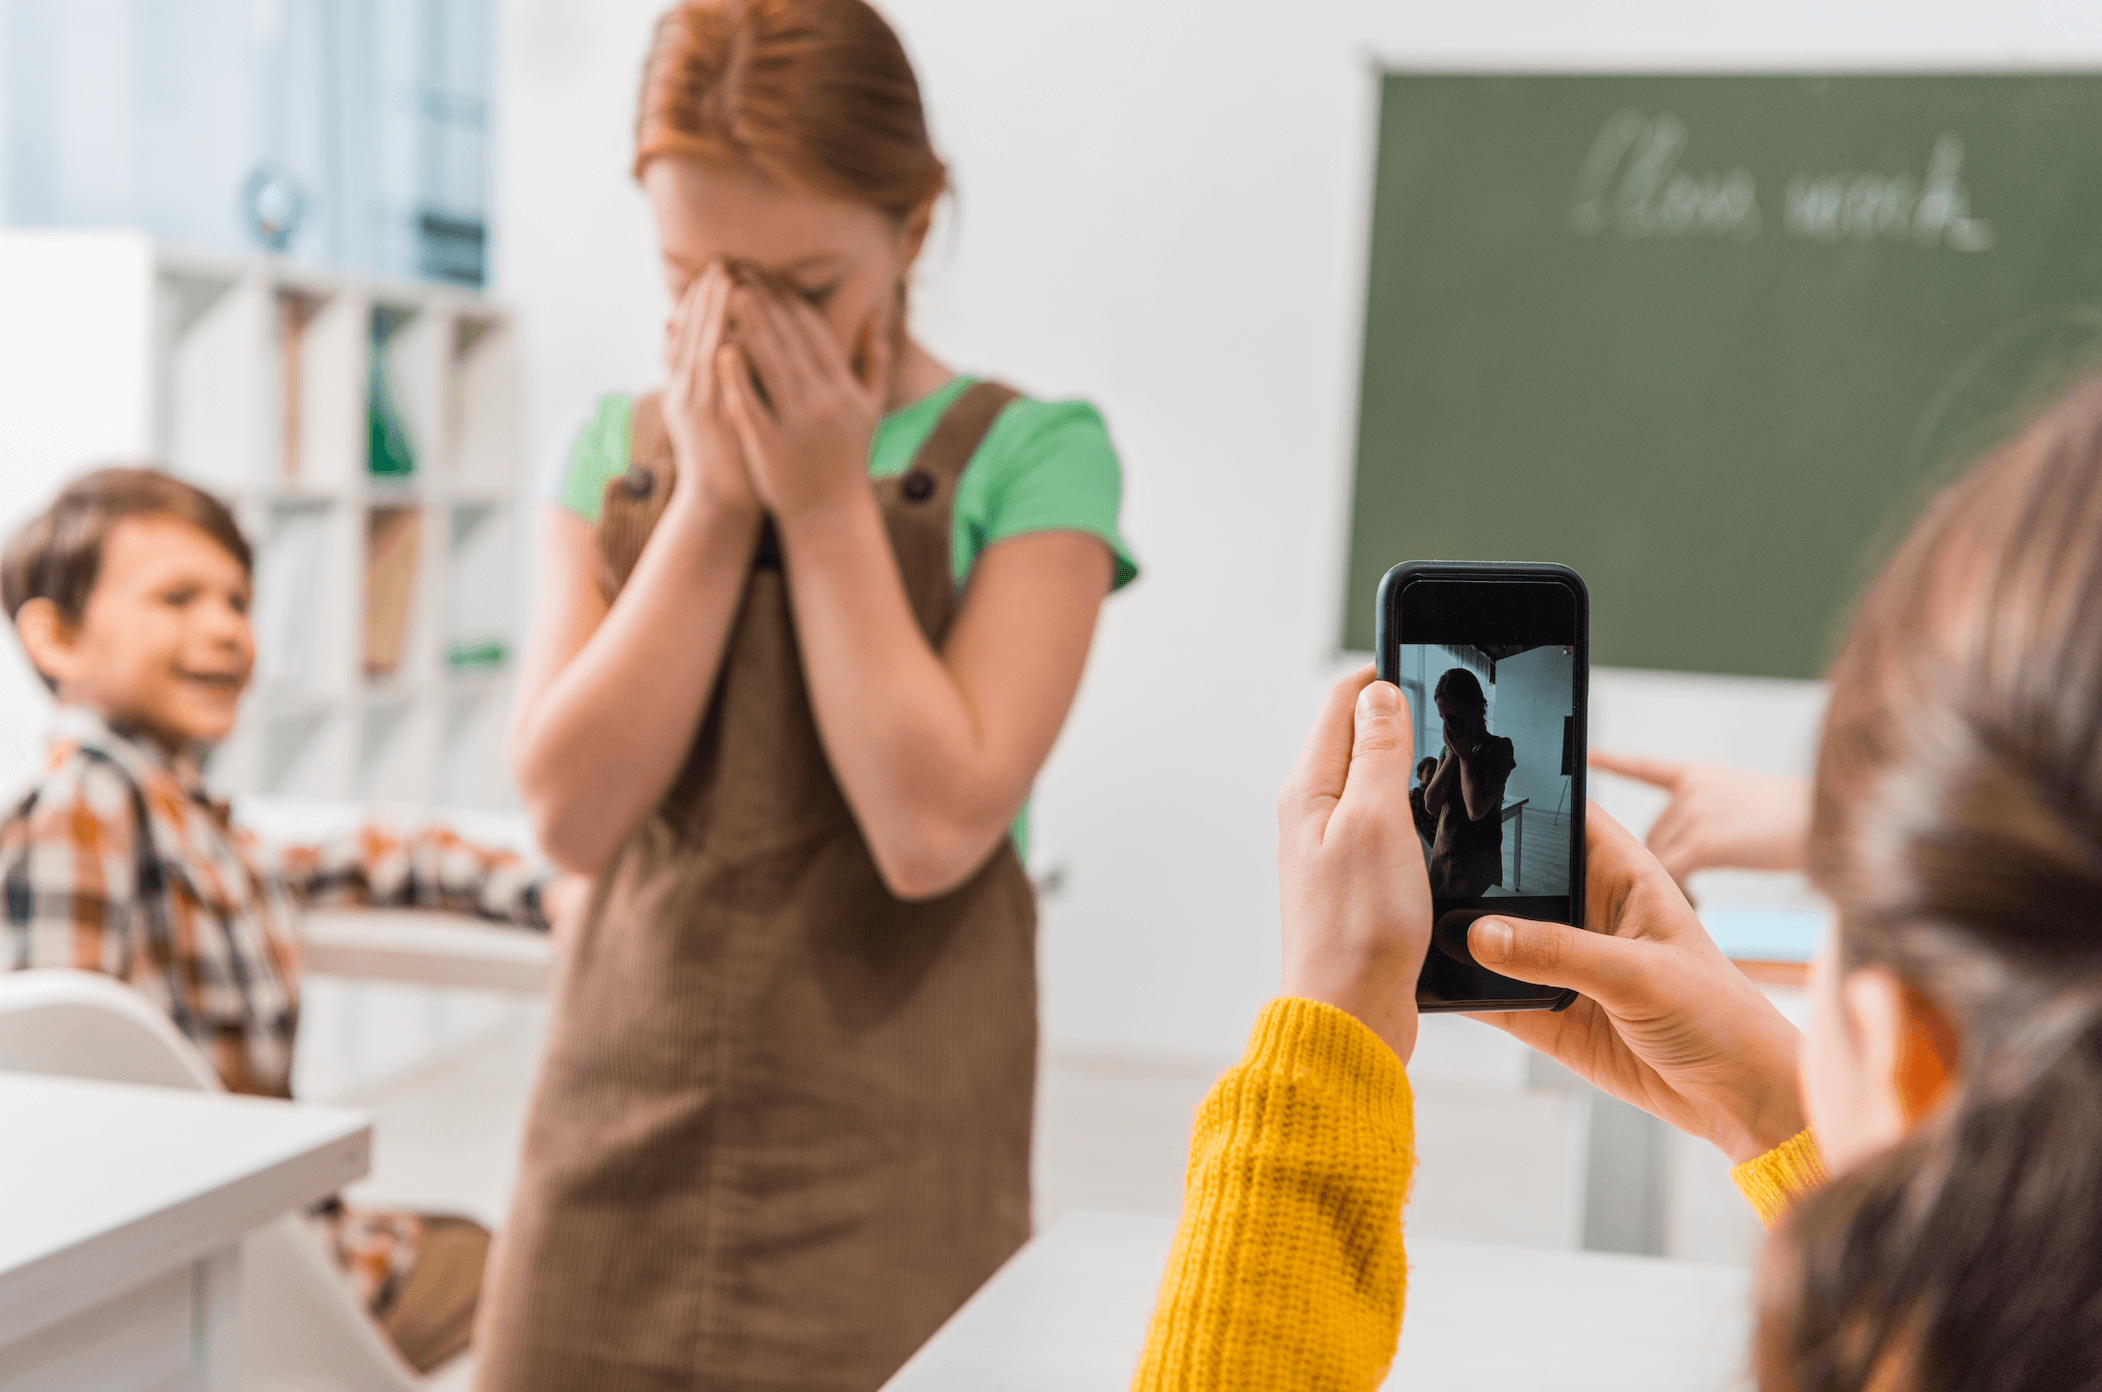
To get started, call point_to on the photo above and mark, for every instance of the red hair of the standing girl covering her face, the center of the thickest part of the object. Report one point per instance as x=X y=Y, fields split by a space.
x=817 y=94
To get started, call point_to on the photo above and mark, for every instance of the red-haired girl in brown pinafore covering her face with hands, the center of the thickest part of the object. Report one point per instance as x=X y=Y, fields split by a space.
x=810 y=623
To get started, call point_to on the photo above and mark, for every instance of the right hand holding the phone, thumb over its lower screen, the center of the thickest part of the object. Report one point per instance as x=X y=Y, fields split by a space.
x=1666 y=1021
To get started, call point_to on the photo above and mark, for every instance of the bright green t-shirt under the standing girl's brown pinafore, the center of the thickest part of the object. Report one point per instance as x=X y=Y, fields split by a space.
x=1042 y=468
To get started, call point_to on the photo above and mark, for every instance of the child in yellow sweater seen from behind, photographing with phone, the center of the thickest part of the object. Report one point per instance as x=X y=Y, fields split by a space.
x=1952 y=1076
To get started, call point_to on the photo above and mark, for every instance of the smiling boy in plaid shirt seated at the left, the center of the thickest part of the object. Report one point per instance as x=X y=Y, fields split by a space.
x=131 y=598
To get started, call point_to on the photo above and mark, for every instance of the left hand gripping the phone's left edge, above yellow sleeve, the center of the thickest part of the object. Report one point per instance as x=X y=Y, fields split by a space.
x=1357 y=903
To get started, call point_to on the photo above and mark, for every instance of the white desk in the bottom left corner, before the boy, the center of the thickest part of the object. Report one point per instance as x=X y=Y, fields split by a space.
x=121 y=1223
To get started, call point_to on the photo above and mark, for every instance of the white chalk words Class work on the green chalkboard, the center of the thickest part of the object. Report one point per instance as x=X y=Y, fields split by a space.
x=1632 y=186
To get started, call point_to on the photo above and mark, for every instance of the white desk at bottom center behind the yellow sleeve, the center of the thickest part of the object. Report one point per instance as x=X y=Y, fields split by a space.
x=1069 y=1315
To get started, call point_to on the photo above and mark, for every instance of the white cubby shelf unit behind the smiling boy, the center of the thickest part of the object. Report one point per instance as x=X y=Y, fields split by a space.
x=251 y=377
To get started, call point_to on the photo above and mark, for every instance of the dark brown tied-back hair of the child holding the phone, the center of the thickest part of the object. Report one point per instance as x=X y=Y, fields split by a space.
x=1958 y=830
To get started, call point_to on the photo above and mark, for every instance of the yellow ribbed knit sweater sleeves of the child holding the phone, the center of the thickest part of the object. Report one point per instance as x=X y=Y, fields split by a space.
x=1287 y=1269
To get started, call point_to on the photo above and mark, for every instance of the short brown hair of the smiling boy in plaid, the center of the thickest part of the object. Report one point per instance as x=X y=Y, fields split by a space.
x=60 y=552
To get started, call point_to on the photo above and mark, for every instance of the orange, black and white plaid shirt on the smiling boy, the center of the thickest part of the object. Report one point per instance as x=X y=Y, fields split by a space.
x=117 y=861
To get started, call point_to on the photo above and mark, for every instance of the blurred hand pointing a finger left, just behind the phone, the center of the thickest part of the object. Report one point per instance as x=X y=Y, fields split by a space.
x=1720 y=815
